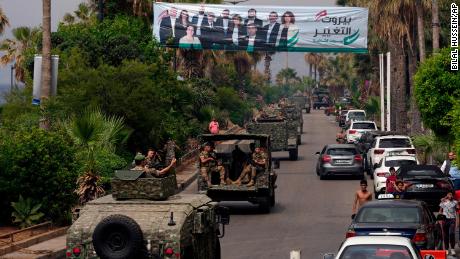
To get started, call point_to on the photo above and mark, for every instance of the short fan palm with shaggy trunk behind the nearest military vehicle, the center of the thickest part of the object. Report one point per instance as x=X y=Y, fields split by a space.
x=93 y=132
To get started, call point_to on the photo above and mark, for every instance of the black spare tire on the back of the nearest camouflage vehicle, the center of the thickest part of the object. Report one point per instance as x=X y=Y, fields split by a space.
x=118 y=236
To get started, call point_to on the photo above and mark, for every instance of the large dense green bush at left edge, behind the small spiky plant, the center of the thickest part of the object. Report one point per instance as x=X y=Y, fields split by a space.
x=43 y=164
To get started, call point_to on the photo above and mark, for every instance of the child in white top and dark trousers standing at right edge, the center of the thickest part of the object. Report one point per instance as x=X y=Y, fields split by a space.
x=448 y=207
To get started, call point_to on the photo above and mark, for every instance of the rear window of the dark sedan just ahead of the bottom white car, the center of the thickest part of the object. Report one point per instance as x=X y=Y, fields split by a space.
x=388 y=215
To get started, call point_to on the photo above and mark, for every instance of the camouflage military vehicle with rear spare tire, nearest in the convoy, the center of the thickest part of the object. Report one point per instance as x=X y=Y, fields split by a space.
x=143 y=218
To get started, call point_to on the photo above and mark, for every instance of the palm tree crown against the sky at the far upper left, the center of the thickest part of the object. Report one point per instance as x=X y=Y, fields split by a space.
x=23 y=38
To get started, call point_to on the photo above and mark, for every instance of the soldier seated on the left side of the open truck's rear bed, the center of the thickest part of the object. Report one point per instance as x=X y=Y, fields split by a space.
x=208 y=164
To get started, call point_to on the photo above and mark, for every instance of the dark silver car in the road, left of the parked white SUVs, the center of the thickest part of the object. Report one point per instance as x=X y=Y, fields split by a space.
x=339 y=159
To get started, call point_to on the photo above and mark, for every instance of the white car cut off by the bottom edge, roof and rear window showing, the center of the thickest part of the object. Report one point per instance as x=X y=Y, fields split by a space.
x=362 y=247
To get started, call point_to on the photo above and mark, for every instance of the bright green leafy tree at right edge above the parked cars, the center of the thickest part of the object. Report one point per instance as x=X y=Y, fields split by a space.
x=436 y=88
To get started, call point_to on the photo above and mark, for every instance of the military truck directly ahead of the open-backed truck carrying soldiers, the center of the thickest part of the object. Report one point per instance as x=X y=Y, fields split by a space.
x=281 y=135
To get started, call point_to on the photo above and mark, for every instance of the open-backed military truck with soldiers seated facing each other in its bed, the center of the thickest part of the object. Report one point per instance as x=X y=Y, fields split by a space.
x=233 y=151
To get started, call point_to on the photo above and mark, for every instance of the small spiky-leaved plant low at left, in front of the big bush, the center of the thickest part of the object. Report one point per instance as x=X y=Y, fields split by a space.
x=25 y=213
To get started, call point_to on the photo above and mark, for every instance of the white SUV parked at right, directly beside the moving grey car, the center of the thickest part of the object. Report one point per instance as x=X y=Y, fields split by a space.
x=389 y=143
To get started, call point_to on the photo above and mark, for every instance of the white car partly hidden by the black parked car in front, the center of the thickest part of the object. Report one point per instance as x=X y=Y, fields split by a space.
x=382 y=169
